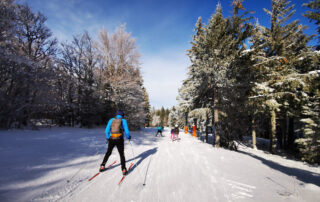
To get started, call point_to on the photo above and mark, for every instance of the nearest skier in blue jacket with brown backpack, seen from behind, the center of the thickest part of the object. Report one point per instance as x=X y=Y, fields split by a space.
x=114 y=133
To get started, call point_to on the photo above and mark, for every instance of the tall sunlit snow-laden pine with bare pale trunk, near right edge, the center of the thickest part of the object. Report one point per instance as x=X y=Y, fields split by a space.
x=283 y=46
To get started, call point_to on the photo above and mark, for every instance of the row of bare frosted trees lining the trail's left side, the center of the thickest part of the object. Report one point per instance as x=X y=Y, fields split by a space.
x=82 y=82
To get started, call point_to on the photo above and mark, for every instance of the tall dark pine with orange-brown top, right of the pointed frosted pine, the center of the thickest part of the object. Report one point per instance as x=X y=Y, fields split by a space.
x=234 y=95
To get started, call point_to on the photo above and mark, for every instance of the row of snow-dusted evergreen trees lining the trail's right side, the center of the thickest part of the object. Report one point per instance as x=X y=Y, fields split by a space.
x=248 y=79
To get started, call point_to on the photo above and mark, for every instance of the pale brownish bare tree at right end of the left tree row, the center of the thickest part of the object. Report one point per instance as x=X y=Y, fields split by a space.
x=120 y=58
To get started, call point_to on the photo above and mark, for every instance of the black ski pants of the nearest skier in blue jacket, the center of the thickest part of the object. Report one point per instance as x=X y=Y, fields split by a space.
x=119 y=143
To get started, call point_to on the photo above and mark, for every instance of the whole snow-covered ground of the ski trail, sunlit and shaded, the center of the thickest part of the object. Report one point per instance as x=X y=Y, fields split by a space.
x=55 y=165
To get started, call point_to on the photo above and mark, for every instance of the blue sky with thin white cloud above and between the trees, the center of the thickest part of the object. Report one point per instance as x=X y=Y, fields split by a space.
x=163 y=30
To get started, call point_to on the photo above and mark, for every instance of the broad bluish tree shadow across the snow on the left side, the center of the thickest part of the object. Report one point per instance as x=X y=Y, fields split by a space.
x=28 y=156
